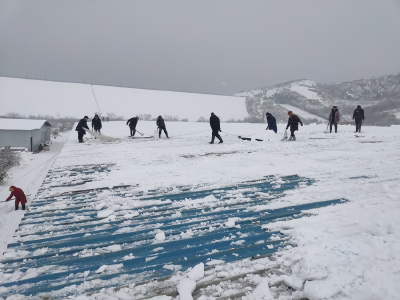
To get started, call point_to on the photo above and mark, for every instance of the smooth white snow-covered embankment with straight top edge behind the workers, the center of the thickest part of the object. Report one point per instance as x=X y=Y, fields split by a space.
x=70 y=99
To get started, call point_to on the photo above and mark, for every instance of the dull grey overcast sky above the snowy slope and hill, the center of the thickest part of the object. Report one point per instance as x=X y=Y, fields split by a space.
x=214 y=47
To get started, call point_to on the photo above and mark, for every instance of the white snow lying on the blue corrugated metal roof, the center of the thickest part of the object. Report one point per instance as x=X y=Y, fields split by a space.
x=346 y=251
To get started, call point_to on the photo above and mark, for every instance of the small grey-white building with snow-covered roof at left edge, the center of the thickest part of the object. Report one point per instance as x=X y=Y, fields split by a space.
x=24 y=133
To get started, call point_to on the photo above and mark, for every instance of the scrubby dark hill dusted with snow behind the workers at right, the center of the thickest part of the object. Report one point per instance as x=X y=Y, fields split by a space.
x=380 y=97
